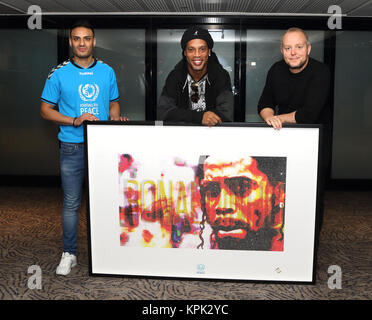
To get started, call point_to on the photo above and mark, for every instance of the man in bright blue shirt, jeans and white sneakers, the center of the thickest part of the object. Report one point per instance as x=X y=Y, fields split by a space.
x=83 y=88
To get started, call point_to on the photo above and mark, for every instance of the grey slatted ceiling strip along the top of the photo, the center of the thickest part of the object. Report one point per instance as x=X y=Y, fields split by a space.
x=350 y=8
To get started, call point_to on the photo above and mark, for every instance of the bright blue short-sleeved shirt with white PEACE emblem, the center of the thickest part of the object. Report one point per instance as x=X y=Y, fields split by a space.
x=76 y=90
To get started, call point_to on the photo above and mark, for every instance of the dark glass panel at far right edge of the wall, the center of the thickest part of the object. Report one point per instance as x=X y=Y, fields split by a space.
x=352 y=127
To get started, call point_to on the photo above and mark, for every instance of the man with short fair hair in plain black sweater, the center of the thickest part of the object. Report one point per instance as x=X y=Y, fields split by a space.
x=297 y=91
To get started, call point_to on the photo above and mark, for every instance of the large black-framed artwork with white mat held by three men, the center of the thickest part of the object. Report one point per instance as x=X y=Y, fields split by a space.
x=235 y=201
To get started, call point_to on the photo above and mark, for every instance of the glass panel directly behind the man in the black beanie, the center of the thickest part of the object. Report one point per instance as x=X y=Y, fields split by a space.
x=170 y=52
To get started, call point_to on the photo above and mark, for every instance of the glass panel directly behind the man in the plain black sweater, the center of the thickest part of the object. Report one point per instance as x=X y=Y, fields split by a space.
x=263 y=50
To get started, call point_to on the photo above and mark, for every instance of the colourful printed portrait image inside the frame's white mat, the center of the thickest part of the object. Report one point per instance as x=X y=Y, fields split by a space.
x=208 y=203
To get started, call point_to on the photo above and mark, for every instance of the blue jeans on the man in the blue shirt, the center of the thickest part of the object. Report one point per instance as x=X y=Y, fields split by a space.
x=72 y=177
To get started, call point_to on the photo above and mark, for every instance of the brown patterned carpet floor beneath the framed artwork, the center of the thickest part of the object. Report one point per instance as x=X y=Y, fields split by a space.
x=30 y=234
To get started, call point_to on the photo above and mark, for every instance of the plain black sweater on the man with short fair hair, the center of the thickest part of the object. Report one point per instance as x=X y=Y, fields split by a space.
x=306 y=91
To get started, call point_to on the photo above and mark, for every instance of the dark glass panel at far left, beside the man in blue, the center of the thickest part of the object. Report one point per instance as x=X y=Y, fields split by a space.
x=28 y=144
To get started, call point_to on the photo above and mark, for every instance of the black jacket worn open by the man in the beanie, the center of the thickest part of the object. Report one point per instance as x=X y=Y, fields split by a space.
x=174 y=102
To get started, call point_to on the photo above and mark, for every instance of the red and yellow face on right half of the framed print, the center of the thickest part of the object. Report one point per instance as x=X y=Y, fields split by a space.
x=243 y=207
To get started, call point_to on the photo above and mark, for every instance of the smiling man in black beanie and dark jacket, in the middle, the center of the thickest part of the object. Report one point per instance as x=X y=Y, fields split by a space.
x=198 y=89
